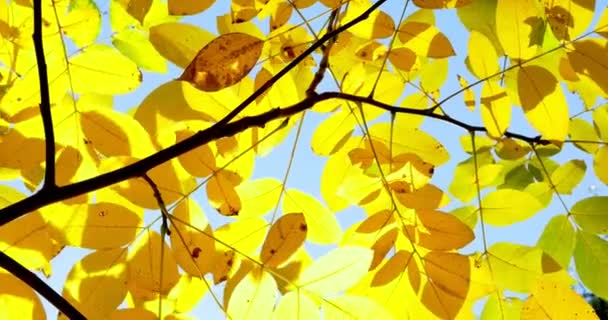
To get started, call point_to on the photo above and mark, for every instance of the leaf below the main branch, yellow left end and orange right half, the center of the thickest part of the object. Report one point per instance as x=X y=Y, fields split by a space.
x=88 y=225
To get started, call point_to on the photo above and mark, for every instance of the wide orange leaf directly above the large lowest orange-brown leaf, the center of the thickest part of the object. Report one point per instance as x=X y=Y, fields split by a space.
x=443 y=231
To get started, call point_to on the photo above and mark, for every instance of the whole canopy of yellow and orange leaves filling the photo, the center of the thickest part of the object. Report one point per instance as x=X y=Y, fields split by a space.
x=403 y=259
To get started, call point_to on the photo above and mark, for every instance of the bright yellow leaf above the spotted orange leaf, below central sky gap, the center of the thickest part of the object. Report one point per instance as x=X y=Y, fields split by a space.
x=259 y=196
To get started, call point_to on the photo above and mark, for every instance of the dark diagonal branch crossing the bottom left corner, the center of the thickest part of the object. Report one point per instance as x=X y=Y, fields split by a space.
x=29 y=278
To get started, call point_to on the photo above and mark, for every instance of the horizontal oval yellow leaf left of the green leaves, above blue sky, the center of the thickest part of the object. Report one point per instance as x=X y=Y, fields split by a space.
x=507 y=206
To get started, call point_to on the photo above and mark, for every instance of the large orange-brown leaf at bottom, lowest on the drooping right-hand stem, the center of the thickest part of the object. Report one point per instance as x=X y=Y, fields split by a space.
x=448 y=285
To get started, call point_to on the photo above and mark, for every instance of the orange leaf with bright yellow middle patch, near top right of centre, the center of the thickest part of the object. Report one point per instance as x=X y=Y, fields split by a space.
x=425 y=40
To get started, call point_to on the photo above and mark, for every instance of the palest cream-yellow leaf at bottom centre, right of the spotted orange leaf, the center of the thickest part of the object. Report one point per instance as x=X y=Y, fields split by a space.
x=336 y=271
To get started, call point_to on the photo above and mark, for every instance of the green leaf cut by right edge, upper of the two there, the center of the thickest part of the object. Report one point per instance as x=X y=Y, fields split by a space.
x=591 y=214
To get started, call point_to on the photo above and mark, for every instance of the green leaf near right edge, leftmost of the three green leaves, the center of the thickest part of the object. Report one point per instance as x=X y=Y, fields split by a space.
x=557 y=240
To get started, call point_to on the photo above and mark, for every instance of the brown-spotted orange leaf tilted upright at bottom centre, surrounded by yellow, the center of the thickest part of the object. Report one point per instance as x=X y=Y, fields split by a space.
x=284 y=238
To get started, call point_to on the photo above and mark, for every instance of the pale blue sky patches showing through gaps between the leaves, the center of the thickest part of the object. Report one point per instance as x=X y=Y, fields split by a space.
x=307 y=167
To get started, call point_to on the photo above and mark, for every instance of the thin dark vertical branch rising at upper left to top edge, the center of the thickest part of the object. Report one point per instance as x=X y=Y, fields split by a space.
x=45 y=100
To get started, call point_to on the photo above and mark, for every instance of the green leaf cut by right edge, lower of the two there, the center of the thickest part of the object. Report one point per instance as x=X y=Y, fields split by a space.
x=591 y=258
